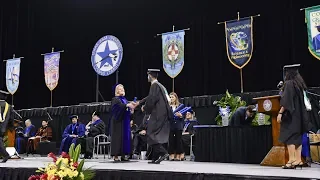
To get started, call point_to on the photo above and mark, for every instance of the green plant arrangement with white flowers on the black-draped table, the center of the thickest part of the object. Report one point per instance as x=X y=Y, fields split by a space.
x=228 y=104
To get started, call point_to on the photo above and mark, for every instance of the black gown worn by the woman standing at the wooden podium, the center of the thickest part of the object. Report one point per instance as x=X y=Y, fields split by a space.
x=294 y=120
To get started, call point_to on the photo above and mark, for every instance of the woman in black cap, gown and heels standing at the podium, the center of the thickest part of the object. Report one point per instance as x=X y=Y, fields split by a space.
x=293 y=115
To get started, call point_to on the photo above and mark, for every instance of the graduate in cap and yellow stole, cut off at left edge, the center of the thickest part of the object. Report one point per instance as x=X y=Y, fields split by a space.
x=5 y=117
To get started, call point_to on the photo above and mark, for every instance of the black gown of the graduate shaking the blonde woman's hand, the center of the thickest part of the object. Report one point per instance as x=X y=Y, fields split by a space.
x=161 y=114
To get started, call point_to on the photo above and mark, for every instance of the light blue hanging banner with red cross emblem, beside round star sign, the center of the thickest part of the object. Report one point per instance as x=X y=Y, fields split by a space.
x=173 y=52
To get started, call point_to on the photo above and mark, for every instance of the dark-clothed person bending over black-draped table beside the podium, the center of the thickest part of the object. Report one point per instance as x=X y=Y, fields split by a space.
x=243 y=116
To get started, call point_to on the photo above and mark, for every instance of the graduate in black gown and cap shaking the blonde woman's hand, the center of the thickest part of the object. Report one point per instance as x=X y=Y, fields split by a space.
x=157 y=105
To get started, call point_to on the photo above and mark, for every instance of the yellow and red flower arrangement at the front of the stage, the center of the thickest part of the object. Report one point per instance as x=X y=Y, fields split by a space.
x=65 y=167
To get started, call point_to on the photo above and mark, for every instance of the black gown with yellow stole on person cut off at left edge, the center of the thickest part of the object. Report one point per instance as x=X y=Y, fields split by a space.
x=6 y=110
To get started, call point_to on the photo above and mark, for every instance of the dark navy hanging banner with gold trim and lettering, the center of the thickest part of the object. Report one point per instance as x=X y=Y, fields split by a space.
x=239 y=41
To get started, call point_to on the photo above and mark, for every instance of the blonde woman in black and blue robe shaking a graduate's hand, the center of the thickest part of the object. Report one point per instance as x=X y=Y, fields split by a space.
x=120 y=124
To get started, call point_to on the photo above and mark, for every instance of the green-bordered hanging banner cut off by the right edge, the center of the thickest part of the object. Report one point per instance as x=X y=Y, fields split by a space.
x=313 y=27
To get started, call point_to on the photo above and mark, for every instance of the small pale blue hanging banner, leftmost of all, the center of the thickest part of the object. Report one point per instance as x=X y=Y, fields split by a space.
x=13 y=74
